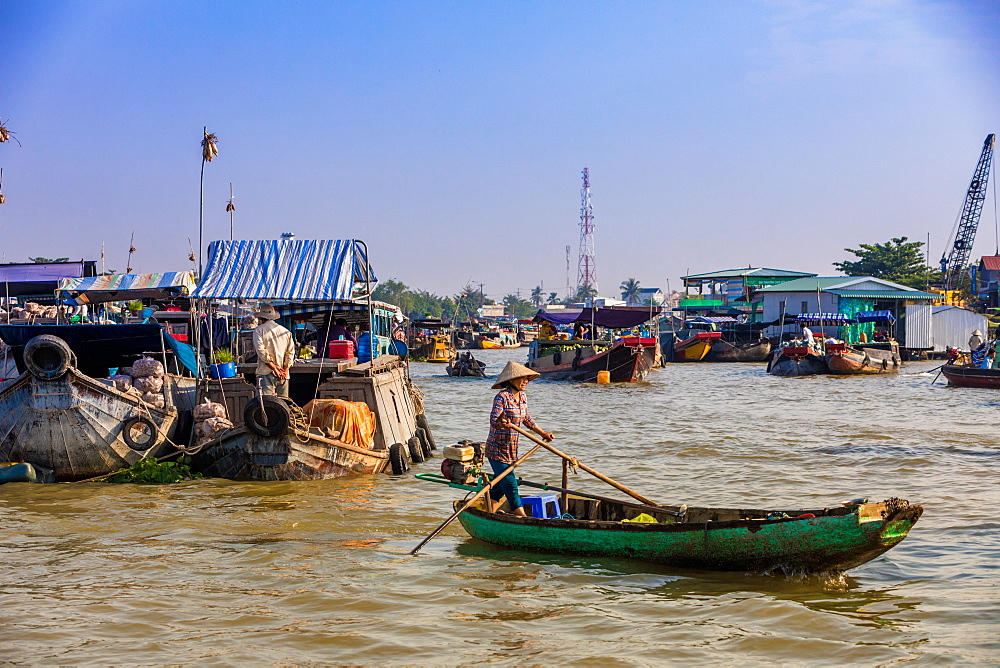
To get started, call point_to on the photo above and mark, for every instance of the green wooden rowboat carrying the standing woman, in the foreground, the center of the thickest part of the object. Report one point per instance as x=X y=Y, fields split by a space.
x=836 y=538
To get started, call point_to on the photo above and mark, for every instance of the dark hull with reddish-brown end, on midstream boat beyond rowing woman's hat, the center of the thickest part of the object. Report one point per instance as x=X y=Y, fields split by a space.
x=625 y=363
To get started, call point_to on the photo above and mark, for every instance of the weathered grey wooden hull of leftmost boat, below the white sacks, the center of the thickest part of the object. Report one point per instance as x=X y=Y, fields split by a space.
x=73 y=425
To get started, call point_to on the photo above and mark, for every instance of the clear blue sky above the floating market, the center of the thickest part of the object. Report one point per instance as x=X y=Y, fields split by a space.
x=450 y=135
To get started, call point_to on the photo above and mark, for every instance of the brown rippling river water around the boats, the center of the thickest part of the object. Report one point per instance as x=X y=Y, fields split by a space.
x=213 y=572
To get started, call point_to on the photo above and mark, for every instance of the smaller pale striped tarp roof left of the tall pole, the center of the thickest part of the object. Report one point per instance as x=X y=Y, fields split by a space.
x=125 y=287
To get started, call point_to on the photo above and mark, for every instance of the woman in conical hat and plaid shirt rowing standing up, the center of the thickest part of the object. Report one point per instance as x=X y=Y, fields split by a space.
x=510 y=406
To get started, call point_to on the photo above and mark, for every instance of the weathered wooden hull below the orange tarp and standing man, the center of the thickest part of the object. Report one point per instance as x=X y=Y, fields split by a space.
x=239 y=454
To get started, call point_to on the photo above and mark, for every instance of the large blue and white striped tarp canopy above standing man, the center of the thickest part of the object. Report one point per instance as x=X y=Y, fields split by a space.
x=324 y=270
